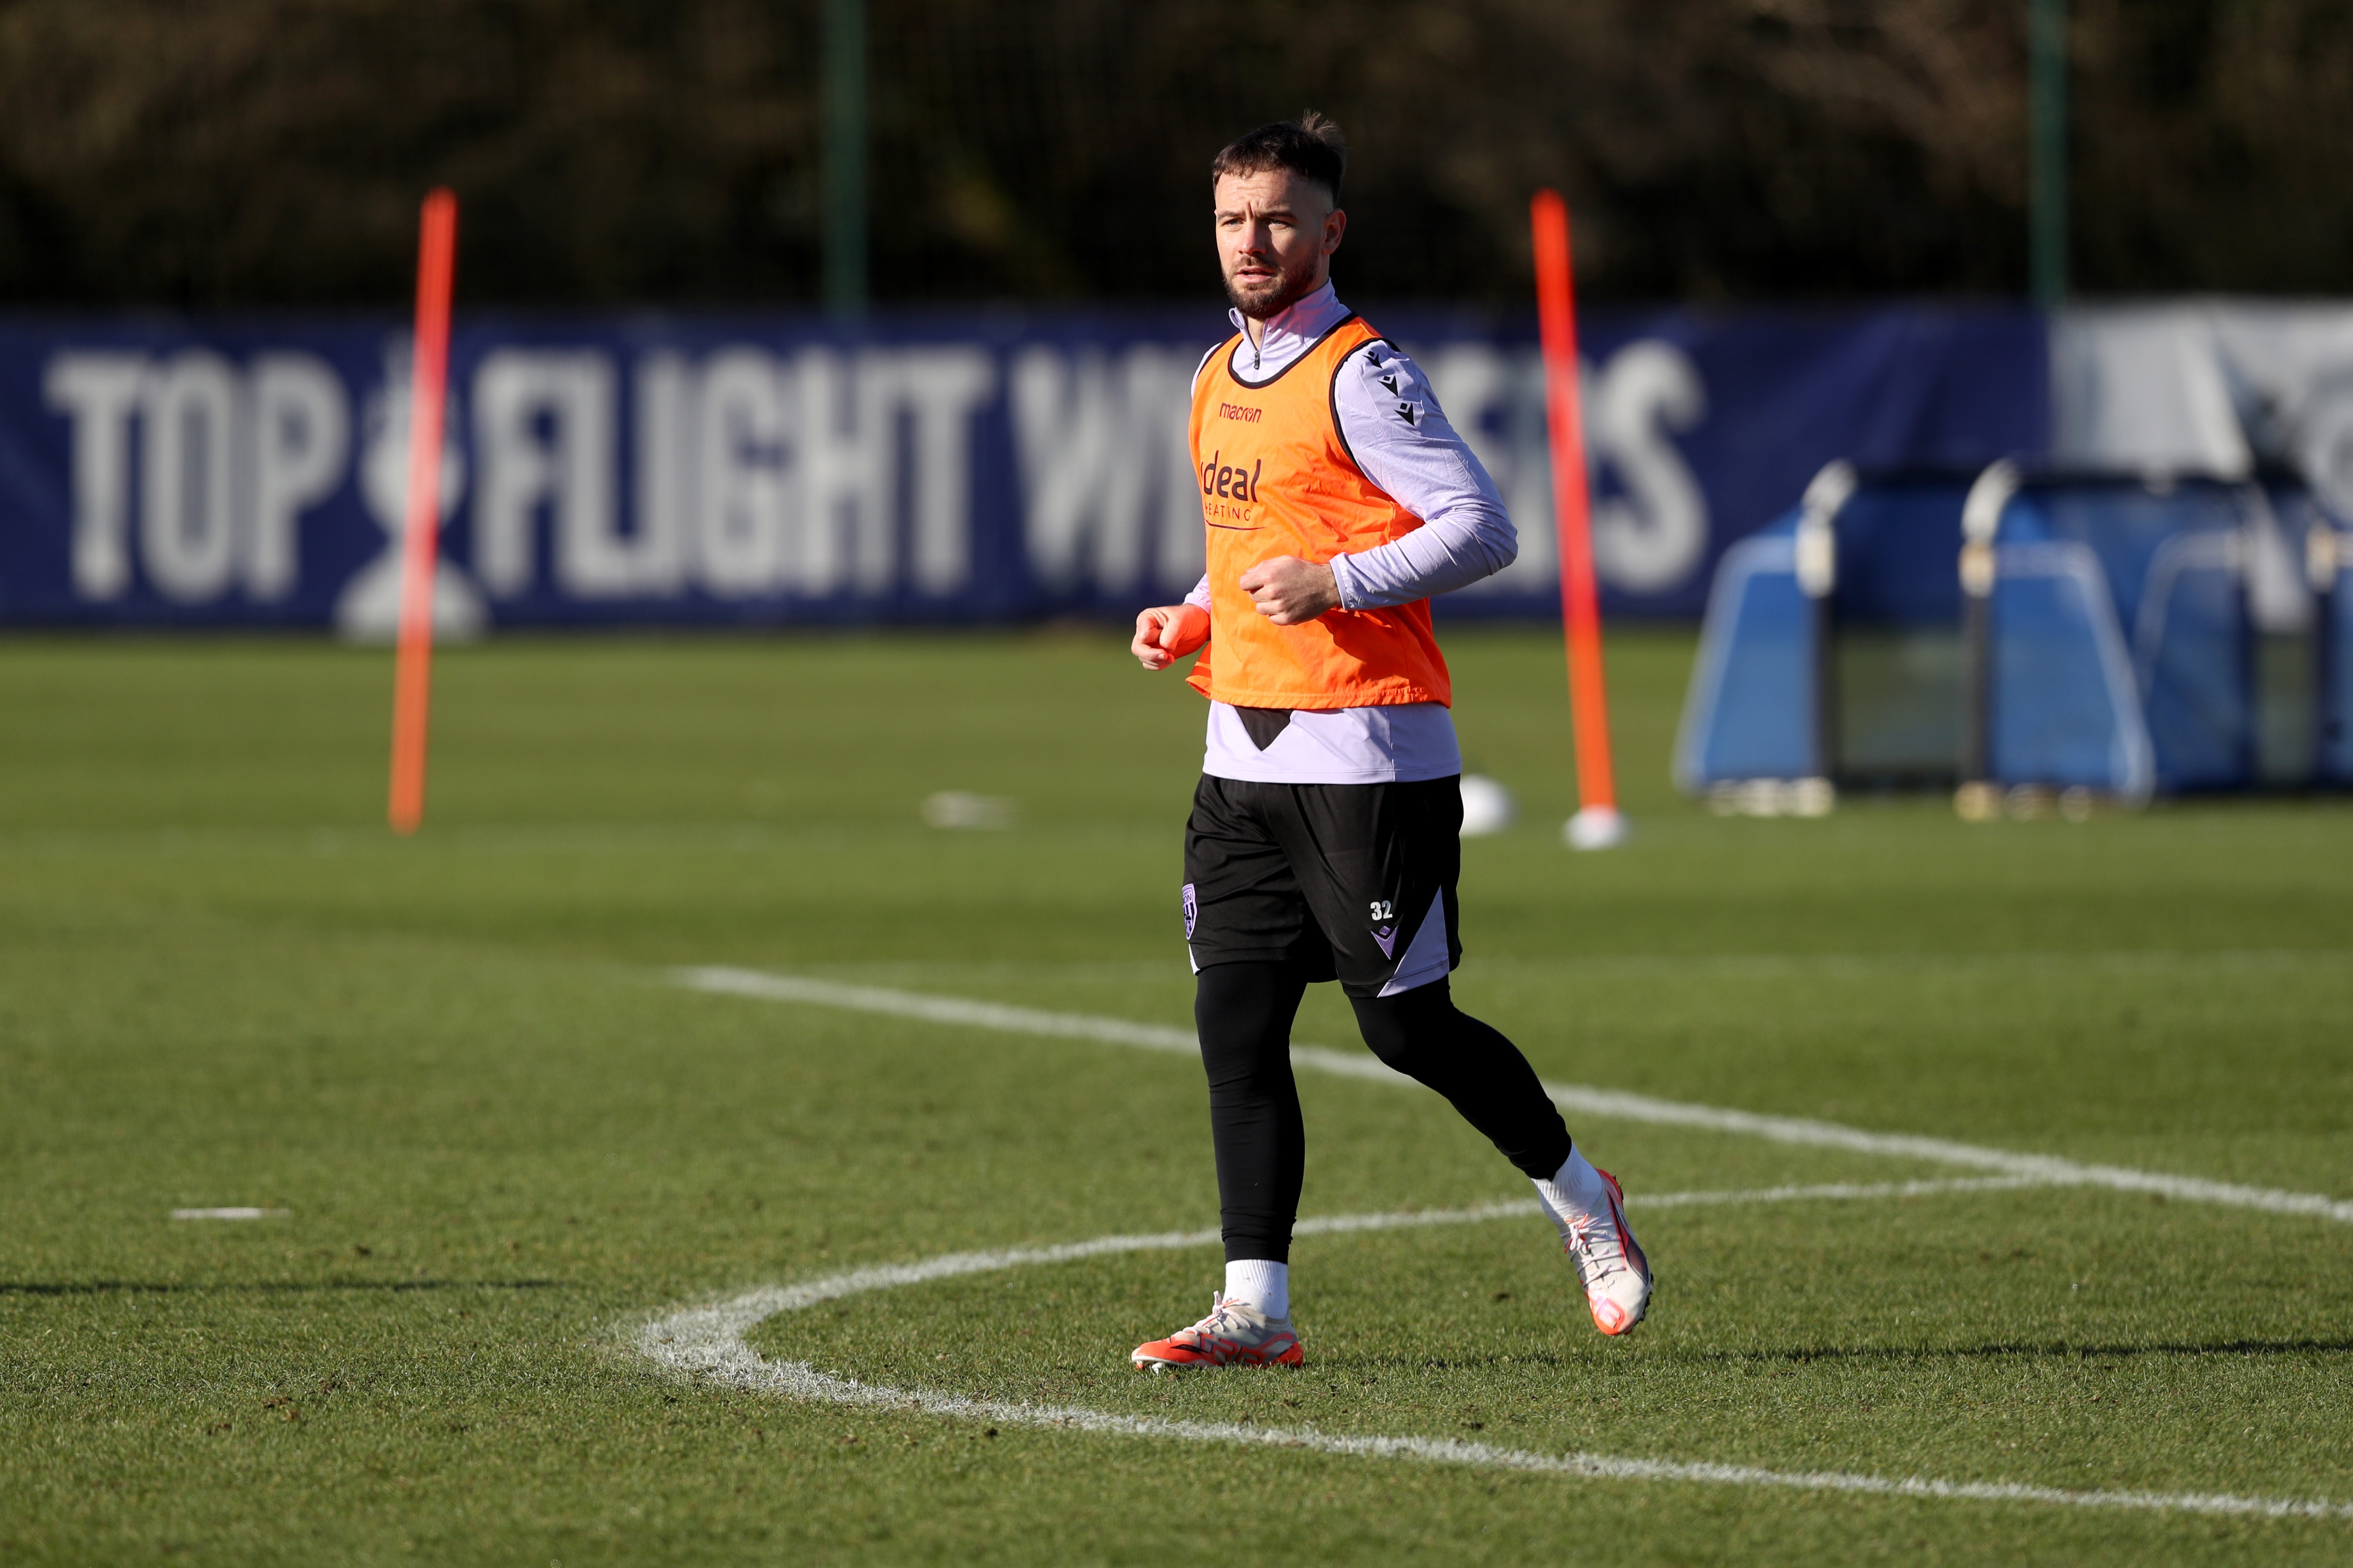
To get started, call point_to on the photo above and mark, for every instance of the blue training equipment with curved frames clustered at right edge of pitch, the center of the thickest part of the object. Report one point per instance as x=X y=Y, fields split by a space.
x=2027 y=631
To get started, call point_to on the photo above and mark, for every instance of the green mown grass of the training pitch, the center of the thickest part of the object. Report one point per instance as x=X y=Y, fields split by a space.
x=505 y=1144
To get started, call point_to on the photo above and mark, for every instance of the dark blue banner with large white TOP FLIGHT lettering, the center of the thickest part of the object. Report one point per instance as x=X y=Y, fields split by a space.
x=914 y=469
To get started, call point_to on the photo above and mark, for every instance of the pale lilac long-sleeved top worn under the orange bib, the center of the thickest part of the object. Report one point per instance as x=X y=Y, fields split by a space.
x=1404 y=443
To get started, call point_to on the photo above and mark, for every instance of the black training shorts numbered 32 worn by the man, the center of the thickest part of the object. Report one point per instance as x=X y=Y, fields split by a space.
x=1354 y=883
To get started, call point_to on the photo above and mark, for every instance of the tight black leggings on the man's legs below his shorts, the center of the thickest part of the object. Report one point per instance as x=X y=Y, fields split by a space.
x=1246 y=1012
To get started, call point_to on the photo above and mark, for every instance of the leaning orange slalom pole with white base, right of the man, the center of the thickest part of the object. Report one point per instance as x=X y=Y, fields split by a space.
x=1597 y=824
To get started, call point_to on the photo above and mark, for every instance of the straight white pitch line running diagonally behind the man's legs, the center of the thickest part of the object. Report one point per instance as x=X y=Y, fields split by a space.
x=1582 y=1099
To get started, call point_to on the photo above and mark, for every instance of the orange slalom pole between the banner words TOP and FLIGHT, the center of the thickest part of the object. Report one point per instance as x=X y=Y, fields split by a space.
x=429 y=380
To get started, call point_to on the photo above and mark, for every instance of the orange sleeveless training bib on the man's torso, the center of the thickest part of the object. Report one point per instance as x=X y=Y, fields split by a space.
x=1277 y=478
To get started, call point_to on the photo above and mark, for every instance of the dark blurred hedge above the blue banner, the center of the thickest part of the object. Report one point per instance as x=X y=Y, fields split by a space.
x=629 y=152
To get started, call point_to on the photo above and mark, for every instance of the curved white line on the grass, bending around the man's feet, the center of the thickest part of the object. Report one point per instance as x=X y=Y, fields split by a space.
x=709 y=1343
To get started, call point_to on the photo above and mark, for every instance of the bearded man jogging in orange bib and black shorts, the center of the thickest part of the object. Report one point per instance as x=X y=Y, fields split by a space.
x=1326 y=829
